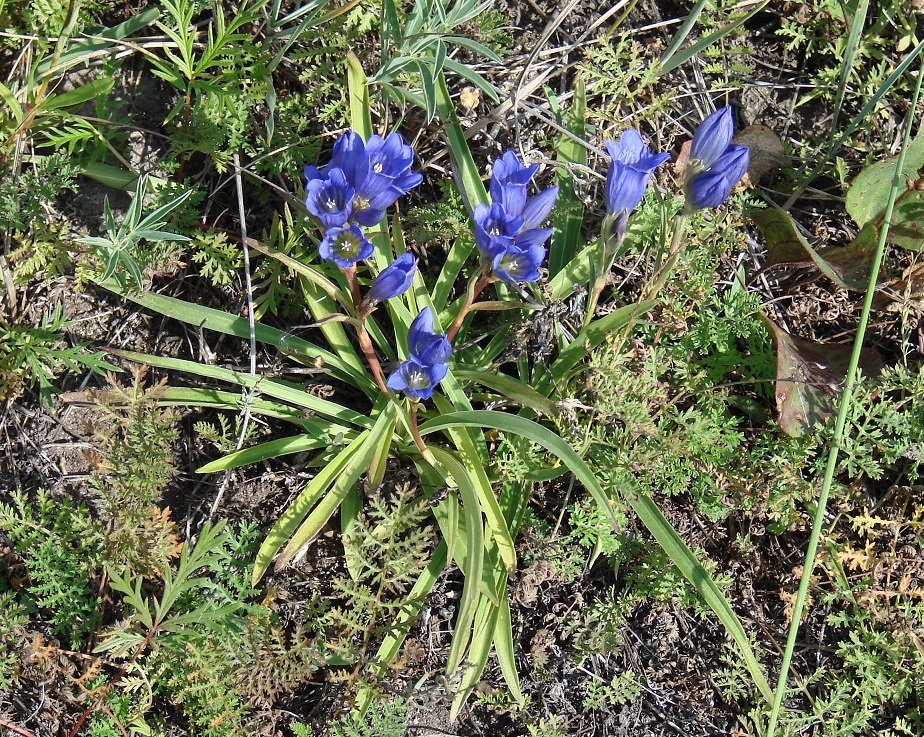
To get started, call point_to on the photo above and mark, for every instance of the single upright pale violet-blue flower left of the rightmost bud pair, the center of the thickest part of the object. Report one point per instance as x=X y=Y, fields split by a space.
x=630 y=171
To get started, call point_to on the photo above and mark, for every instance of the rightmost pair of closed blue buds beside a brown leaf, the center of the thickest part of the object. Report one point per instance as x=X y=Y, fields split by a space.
x=716 y=164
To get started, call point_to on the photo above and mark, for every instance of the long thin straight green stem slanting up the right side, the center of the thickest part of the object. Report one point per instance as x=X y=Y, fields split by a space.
x=840 y=423
